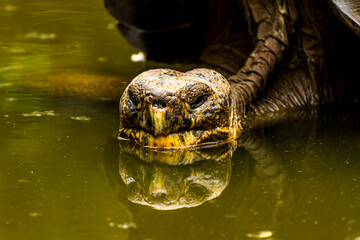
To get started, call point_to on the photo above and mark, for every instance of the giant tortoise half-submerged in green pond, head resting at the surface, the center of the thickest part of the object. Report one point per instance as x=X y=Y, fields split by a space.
x=260 y=62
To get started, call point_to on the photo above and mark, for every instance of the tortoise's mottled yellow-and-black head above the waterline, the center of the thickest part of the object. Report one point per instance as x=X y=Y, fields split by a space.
x=165 y=108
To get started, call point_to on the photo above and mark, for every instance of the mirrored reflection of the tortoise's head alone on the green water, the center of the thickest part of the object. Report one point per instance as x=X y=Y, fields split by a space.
x=172 y=179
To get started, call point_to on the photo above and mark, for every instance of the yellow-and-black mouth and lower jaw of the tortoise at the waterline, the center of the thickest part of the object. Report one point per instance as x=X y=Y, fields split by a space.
x=178 y=140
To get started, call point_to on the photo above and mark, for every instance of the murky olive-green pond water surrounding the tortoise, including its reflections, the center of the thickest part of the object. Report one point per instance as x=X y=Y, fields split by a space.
x=64 y=175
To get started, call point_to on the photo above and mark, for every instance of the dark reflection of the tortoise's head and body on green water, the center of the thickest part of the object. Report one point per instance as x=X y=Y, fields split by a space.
x=297 y=180
